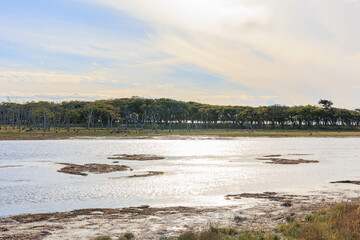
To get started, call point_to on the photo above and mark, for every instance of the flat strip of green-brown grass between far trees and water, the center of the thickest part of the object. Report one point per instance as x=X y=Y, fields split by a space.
x=11 y=134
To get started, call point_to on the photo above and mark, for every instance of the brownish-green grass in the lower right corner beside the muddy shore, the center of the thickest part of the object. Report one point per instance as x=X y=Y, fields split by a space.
x=340 y=221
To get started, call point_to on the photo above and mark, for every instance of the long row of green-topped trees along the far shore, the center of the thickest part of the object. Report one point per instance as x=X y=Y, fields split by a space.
x=139 y=113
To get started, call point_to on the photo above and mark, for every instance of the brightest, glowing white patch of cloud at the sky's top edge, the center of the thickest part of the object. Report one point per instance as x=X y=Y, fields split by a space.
x=200 y=15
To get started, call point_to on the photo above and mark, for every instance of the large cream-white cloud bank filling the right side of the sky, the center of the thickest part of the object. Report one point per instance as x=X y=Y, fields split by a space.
x=297 y=50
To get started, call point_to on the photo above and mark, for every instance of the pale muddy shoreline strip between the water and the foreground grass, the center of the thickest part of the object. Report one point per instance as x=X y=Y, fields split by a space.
x=267 y=211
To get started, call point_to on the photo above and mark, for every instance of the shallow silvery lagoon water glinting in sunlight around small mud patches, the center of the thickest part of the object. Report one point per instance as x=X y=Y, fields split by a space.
x=198 y=171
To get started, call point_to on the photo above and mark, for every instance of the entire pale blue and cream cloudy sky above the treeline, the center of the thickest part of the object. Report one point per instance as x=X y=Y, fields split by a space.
x=226 y=52
